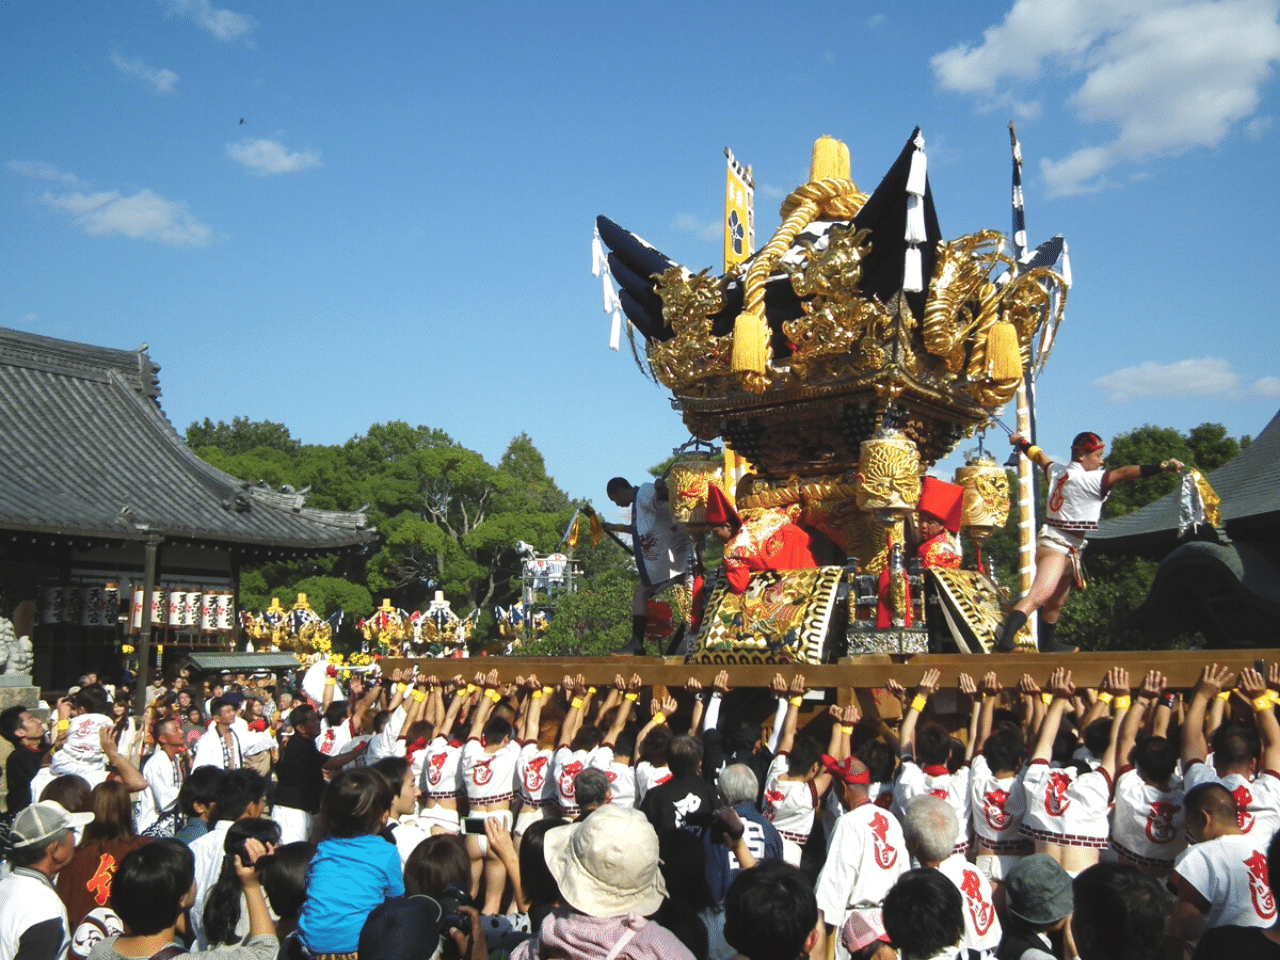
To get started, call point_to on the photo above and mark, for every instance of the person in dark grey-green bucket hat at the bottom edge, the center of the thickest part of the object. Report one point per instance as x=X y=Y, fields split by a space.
x=1037 y=902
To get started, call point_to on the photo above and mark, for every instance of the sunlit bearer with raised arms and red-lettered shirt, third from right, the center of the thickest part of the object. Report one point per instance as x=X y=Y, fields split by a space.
x=1067 y=811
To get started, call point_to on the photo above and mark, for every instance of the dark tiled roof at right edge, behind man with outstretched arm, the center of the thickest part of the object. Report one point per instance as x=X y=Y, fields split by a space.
x=1249 y=487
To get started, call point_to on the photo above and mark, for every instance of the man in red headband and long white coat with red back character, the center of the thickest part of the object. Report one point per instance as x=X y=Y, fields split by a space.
x=866 y=857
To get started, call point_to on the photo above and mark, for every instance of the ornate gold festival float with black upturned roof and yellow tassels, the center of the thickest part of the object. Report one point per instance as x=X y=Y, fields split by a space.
x=842 y=362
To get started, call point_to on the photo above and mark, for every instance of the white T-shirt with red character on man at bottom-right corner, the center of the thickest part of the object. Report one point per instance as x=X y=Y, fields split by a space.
x=1232 y=875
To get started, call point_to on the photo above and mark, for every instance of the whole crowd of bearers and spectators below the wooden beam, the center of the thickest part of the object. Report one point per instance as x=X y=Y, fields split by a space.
x=481 y=819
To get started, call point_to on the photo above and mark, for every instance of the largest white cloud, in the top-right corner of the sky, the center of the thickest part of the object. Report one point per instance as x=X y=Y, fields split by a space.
x=1167 y=75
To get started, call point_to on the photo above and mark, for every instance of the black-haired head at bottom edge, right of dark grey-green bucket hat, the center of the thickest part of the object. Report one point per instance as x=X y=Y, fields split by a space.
x=1119 y=913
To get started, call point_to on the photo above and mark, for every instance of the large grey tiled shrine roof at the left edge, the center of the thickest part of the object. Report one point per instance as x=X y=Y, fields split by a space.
x=85 y=450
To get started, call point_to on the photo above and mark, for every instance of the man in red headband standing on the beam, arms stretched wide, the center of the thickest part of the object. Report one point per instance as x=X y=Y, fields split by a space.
x=1076 y=497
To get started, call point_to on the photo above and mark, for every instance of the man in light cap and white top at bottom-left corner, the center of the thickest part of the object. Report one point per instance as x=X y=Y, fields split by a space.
x=39 y=844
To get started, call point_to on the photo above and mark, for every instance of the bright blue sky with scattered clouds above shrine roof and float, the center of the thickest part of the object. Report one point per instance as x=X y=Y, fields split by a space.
x=400 y=230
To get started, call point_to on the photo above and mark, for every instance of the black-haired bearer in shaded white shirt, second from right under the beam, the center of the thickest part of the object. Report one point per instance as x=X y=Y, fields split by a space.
x=1148 y=824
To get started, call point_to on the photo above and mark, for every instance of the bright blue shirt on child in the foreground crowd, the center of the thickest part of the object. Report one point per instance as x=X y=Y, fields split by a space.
x=346 y=880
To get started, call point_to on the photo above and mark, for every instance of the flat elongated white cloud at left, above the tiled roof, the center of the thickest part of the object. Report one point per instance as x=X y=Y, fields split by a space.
x=145 y=216
